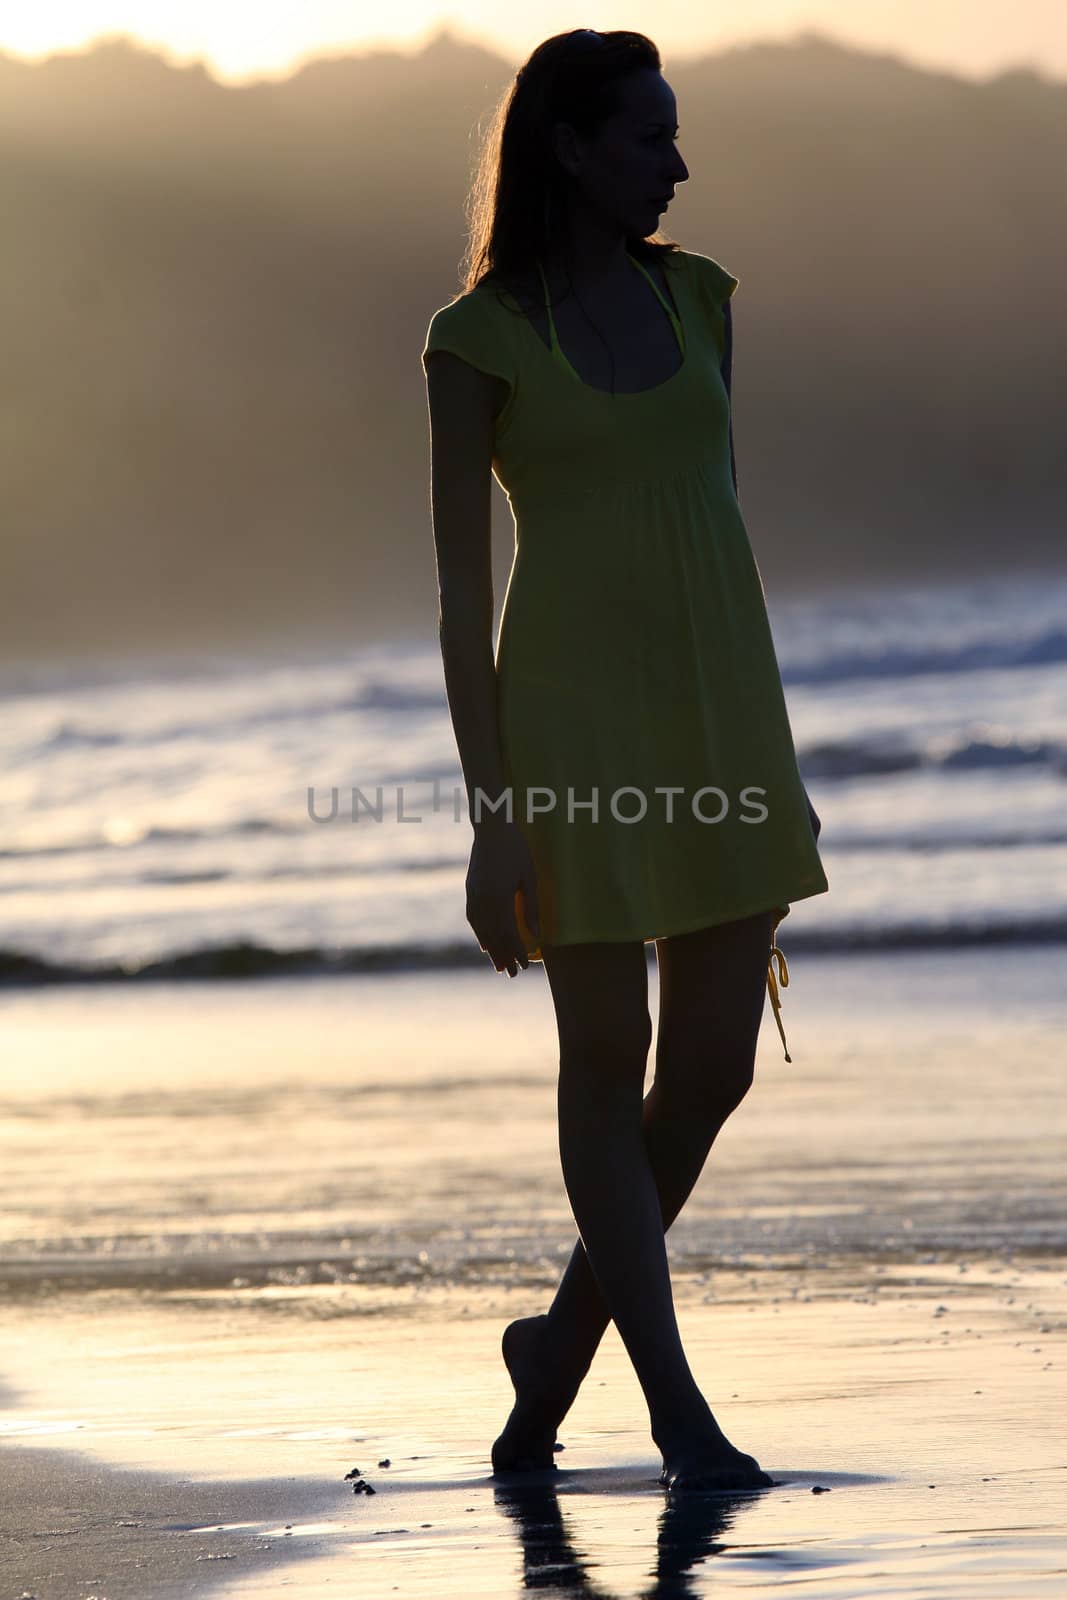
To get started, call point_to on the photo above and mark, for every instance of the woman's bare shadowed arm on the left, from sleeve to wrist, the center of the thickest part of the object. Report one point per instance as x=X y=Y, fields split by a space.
x=462 y=402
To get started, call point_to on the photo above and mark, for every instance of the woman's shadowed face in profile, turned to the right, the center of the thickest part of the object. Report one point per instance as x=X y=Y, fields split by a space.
x=628 y=174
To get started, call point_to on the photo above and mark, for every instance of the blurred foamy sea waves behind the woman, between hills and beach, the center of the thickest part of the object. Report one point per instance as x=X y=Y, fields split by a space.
x=172 y=818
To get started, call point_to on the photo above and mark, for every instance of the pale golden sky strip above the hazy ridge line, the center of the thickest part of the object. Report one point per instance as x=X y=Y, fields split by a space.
x=246 y=39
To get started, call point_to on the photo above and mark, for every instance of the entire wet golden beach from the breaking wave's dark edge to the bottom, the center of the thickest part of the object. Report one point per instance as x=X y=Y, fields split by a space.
x=869 y=1281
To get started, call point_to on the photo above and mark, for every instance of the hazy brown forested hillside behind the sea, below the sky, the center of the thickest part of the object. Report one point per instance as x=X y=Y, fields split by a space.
x=215 y=300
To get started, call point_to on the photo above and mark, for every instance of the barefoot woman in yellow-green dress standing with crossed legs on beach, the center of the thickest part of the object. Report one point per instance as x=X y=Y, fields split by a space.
x=628 y=753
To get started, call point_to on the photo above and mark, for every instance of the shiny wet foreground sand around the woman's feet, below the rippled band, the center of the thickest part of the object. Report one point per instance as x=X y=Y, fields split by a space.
x=913 y=1422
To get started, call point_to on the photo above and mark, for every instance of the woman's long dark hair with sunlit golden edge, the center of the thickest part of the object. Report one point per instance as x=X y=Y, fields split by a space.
x=518 y=198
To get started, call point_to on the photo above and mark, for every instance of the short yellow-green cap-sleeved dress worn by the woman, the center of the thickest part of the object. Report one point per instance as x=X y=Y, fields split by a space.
x=634 y=652
